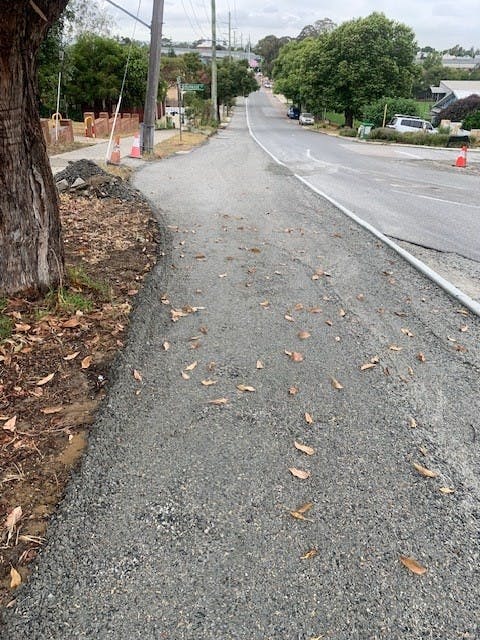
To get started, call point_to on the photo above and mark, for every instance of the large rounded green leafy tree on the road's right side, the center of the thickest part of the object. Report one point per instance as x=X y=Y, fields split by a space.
x=360 y=61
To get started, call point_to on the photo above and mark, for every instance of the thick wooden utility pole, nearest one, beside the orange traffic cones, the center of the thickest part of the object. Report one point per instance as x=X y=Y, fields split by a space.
x=150 y=113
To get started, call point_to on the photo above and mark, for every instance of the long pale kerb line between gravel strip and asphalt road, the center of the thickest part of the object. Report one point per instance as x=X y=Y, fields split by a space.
x=420 y=266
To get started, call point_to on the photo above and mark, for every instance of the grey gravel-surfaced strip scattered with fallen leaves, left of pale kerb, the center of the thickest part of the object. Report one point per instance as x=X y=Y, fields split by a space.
x=179 y=523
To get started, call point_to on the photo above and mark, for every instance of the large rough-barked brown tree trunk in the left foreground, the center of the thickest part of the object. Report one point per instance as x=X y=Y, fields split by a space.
x=31 y=248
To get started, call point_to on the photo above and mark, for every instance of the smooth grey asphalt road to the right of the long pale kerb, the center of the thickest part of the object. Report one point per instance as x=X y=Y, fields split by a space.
x=409 y=193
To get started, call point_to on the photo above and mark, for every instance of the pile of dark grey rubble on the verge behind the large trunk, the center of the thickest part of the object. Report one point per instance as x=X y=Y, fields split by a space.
x=87 y=178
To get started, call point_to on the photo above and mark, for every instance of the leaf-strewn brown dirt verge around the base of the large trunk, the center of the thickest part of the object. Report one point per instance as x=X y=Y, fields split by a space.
x=55 y=358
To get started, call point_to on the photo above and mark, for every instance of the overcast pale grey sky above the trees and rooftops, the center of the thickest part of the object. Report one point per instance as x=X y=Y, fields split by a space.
x=439 y=24
